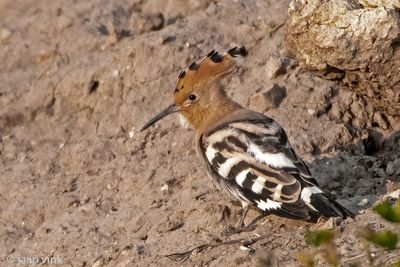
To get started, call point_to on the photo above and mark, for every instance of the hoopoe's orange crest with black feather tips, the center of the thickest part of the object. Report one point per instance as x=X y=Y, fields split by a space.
x=211 y=68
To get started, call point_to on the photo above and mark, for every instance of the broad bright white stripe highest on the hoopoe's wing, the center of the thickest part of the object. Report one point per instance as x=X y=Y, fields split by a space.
x=278 y=160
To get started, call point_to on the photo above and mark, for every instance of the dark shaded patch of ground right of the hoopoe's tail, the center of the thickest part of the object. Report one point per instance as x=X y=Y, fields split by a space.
x=358 y=175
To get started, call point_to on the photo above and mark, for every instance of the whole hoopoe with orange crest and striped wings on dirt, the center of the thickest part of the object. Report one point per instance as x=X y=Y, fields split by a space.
x=246 y=153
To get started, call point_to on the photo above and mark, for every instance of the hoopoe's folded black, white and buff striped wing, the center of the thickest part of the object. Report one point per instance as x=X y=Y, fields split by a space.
x=254 y=162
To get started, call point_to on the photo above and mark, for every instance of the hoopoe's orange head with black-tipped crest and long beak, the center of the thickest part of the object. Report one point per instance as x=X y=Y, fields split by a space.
x=197 y=95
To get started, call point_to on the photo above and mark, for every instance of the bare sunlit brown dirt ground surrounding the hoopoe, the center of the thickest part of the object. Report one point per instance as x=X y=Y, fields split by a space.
x=78 y=181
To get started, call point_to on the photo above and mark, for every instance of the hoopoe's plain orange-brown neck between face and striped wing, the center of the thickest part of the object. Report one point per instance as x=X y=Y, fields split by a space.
x=201 y=117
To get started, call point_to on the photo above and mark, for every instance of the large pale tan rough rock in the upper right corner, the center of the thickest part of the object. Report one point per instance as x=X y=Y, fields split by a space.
x=340 y=34
